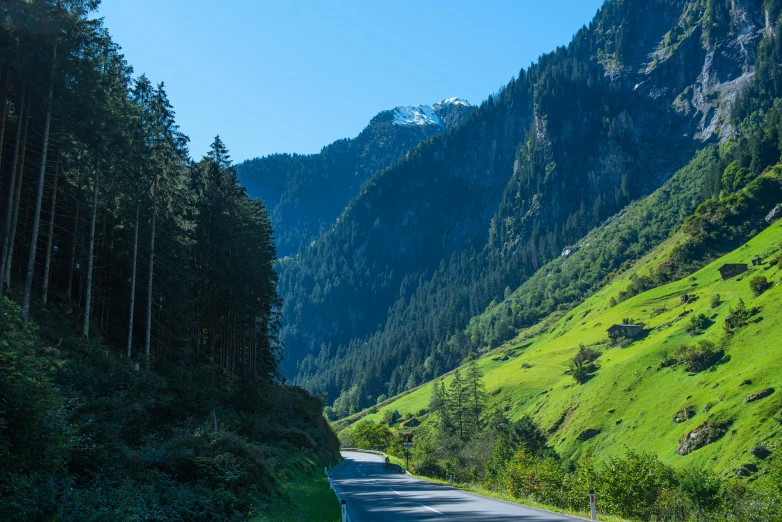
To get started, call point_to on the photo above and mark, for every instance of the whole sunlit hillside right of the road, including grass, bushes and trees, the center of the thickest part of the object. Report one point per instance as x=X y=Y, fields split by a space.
x=694 y=399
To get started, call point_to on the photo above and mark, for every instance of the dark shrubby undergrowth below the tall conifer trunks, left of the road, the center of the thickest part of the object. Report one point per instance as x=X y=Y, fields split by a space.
x=86 y=437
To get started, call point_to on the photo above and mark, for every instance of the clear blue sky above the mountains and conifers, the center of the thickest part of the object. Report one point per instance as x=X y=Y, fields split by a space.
x=293 y=76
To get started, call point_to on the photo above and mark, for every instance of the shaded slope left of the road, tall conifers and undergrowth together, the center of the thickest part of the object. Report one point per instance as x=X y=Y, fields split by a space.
x=138 y=328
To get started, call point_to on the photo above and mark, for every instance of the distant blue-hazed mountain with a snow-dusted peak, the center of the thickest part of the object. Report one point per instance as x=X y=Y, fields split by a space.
x=306 y=193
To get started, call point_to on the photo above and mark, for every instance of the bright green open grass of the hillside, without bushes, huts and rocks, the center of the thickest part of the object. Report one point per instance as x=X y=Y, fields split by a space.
x=632 y=399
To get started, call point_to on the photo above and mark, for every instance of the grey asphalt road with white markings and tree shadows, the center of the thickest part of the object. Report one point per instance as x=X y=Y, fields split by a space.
x=376 y=495
